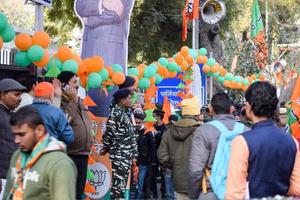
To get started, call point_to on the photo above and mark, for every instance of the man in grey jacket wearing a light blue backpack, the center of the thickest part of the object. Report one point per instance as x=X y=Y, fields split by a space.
x=210 y=151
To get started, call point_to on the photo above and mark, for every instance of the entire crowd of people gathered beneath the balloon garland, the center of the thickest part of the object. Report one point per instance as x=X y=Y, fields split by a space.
x=222 y=151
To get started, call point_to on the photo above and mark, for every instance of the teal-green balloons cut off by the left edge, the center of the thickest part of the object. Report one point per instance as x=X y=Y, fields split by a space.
x=7 y=32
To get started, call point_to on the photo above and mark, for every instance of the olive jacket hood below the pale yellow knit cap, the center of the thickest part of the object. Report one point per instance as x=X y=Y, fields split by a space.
x=185 y=127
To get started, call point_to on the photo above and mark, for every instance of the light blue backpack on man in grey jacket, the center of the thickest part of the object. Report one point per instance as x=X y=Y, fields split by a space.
x=221 y=160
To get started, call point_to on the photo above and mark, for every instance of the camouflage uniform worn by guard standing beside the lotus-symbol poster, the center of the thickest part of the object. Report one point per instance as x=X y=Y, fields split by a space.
x=119 y=138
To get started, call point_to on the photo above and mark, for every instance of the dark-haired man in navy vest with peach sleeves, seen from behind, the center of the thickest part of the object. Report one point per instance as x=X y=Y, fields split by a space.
x=265 y=161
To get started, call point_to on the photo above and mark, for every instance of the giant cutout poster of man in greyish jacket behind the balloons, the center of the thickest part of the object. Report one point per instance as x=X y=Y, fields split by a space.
x=105 y=33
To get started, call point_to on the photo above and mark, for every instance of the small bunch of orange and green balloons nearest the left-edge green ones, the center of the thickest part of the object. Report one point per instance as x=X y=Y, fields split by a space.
x=32 y=49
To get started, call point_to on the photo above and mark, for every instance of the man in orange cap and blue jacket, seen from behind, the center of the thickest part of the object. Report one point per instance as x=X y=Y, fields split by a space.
x=55 y=120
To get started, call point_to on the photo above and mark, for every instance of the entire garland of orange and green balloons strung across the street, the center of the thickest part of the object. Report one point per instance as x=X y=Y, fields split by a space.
x=94 y=74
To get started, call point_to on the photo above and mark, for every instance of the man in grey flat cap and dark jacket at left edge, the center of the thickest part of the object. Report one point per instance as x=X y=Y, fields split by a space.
x=10 y=98
